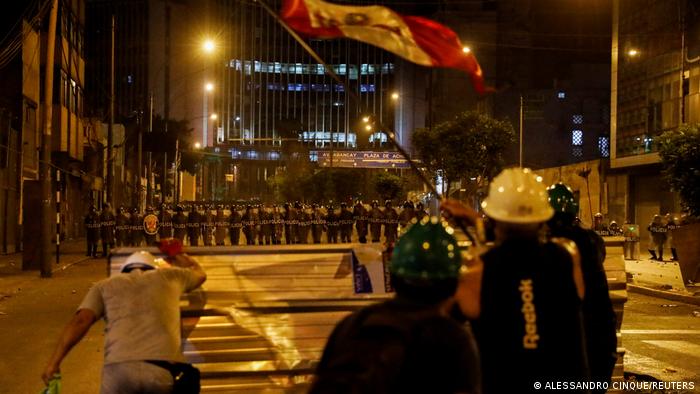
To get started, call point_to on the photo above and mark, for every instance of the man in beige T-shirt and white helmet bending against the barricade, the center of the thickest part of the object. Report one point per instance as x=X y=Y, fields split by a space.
x=141 y=308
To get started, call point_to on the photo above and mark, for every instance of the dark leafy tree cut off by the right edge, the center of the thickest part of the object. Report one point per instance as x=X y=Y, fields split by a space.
x=680 y=158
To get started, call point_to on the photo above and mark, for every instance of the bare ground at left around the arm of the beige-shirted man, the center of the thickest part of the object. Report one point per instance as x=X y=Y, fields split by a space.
x=33 y=312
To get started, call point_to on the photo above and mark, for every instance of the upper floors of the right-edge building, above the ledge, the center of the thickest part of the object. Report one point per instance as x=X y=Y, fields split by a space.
x=649 y=93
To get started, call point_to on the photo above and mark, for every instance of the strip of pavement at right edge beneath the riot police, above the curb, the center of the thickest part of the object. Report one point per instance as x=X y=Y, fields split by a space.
x=660 y=279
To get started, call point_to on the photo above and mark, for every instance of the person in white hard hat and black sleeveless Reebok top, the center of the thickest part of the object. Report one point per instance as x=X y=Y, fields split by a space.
x=523 y=295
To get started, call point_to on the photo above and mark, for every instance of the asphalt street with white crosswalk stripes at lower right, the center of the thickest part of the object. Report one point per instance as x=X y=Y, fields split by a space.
x=662 y=339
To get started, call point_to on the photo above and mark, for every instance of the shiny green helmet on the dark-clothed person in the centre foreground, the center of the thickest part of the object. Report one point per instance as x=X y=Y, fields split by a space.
x=427 y=250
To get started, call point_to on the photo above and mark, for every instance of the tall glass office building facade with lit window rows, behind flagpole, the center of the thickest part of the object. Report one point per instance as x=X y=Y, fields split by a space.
x=269 y=89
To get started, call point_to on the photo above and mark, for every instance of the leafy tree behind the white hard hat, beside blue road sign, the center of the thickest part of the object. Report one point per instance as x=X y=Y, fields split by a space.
x=468 y=148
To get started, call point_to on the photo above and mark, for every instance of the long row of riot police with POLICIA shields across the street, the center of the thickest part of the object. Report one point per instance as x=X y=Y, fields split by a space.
x=261 y=224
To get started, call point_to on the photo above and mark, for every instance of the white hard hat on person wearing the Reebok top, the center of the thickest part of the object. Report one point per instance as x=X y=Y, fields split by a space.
x=517 y=195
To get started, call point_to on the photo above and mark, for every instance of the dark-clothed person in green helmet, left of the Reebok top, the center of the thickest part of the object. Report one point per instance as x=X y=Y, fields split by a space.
x=408 y=344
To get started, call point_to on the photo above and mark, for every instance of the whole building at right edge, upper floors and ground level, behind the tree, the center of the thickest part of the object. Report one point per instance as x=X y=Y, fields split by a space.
x=655 y=84
